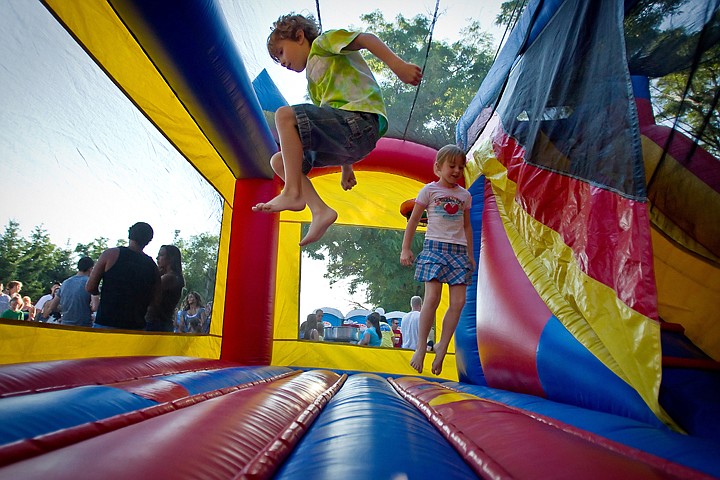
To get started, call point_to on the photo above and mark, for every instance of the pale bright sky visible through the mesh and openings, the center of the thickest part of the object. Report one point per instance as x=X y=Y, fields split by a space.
x=81 y=162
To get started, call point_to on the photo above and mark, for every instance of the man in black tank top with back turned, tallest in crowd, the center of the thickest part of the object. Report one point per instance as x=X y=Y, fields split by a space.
x=130 y=281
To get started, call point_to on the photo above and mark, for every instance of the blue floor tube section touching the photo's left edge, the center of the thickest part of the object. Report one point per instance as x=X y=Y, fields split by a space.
x=28 y=416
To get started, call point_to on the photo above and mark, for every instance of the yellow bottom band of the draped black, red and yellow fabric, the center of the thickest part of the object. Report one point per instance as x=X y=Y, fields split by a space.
x=629 y=348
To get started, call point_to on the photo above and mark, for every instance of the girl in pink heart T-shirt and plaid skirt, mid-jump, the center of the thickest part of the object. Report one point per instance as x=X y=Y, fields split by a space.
x=447 y=255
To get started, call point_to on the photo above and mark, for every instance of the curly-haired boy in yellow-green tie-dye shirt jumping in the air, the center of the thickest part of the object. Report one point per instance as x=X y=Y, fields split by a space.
x=344 y=122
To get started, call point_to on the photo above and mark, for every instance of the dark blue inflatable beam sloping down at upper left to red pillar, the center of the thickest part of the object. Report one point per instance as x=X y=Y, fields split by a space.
x=195 y=39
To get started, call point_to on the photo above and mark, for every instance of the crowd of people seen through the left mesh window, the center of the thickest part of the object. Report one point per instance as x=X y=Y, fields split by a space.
x=125 y=289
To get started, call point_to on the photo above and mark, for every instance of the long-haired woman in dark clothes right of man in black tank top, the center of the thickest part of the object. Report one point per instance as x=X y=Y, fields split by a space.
x=159 y=317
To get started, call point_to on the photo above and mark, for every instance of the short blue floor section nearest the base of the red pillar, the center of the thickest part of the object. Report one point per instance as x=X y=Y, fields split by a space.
x=202 y=382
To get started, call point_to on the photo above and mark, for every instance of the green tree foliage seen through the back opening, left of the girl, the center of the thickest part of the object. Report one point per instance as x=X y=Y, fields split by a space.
x=369 y=257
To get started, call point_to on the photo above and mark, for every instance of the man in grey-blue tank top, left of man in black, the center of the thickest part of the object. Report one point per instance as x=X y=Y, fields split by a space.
x=74 y=300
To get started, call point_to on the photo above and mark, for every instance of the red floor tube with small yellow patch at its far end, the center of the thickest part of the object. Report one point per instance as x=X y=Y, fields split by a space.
x=489 y=429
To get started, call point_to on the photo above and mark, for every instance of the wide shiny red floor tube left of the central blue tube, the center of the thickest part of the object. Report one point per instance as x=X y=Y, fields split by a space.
x=284 y=407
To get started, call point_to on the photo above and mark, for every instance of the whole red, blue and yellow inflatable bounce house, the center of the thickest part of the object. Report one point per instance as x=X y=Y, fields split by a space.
x=588 y=347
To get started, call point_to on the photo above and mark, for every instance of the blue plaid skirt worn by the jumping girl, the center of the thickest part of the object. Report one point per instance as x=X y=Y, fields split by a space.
x=445 y=262
